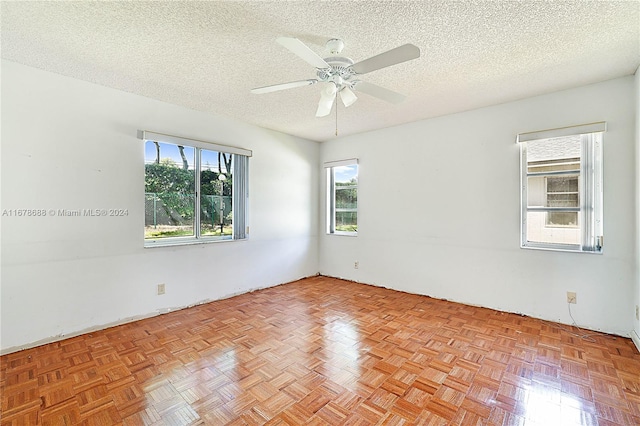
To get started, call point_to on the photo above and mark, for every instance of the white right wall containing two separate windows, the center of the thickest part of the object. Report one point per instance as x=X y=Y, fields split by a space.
x=439 y=209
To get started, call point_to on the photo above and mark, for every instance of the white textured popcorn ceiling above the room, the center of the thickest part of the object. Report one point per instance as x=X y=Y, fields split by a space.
x=208 y=55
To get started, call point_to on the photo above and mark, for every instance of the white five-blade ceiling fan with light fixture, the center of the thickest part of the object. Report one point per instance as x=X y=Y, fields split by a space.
x=339 y=74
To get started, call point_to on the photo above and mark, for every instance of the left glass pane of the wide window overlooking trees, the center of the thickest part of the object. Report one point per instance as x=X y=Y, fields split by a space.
x=169 y=190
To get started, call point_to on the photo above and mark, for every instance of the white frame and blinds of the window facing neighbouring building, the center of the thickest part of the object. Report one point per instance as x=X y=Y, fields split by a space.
x=590 y=211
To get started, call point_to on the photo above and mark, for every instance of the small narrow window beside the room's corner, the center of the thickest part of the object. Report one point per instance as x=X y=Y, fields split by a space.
x=342 y=197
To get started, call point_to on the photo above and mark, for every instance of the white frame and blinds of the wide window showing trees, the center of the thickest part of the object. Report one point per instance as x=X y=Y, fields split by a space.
x=240 y=191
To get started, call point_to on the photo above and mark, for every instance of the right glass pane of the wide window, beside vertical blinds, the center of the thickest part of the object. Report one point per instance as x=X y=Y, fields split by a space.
x=216 y=185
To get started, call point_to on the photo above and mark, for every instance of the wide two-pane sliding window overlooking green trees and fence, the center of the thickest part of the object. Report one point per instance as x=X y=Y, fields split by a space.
x=194 y=191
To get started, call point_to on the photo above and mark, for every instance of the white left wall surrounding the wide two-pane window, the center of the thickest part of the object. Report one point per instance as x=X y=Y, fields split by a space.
x=69 y=144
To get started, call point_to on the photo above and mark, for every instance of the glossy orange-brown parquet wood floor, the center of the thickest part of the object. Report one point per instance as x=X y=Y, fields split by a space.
x=326 y=352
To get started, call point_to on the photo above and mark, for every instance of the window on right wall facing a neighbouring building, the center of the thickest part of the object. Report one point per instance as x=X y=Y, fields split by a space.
x=561 y=184
